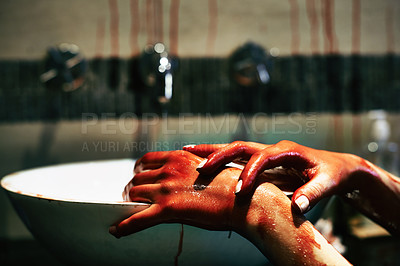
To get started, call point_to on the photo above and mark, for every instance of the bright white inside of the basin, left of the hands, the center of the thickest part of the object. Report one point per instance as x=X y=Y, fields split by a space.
x=101 y=181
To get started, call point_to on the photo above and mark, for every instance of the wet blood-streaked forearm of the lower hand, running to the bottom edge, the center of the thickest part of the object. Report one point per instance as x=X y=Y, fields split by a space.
x=282 y=236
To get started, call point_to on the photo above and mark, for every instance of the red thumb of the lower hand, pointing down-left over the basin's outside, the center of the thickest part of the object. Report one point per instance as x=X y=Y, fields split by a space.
x=137 y=222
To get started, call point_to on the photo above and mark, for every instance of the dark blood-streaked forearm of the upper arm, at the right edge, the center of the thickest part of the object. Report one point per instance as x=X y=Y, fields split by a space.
x=376 y=193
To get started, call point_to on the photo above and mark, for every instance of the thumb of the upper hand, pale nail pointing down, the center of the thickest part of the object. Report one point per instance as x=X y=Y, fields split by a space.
x=305 y=197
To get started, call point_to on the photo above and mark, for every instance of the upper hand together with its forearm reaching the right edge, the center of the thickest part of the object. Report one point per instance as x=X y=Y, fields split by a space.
x=370 y=189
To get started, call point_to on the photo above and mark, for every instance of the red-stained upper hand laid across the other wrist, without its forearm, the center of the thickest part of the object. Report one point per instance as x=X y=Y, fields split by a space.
x=325 y=173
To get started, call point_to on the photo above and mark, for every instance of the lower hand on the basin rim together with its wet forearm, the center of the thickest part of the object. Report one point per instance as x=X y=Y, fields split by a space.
x=179 y=193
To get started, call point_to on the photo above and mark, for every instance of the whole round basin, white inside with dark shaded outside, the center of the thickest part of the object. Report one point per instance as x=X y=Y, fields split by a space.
x=70 y=207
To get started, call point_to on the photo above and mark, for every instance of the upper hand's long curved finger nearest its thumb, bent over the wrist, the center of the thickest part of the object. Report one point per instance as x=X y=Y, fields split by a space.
x=271 y=157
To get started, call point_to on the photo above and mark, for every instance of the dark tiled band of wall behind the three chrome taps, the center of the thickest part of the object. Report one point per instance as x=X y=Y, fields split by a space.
x=202 y=85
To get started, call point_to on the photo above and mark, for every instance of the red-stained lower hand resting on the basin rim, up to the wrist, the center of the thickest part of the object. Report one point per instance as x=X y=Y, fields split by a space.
x=178 y=193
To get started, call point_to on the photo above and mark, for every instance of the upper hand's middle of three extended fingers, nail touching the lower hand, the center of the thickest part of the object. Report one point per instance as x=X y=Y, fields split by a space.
x=227 y=154
